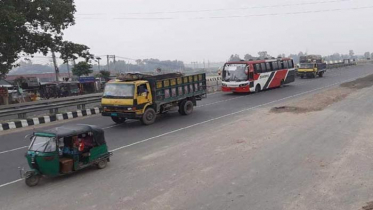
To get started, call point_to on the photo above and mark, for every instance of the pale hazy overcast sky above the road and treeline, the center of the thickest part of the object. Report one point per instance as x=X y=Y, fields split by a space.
x=178 y=29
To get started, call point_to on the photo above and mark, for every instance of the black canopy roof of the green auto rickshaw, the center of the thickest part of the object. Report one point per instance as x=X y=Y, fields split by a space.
x=73 y=130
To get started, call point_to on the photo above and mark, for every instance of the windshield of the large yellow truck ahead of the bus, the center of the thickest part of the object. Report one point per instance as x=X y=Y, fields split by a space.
x=119 y=90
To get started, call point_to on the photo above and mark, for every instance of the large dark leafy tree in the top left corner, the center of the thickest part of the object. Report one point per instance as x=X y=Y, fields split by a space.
x=34 y=26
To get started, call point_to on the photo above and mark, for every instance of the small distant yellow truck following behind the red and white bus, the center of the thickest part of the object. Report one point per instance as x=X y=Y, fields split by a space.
x=311 y=66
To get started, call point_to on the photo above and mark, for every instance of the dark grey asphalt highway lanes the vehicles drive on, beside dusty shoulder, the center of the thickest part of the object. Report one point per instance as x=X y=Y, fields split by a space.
x=127 y=138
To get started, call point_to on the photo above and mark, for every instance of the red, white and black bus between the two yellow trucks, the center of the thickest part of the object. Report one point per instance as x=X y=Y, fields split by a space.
x=257 y=75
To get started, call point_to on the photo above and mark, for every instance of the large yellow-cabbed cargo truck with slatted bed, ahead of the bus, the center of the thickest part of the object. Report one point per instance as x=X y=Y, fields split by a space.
x=142 y=97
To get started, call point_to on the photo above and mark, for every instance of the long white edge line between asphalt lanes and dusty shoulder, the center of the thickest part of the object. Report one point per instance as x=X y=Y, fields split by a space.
x=207 y=121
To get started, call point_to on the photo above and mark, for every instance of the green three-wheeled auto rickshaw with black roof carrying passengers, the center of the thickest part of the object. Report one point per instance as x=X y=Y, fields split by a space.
x=64 y=150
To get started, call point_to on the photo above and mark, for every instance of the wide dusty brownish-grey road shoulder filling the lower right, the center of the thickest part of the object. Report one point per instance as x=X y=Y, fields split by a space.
x=271 y=157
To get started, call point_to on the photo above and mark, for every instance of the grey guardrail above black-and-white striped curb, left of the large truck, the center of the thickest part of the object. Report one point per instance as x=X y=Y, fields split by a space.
x=22 y=109
